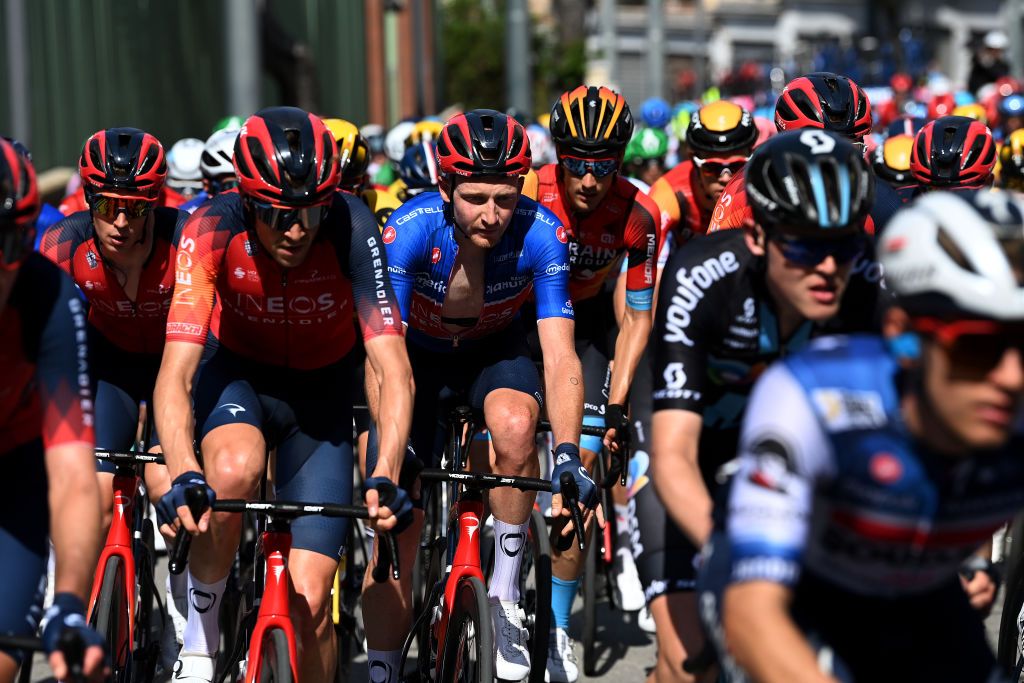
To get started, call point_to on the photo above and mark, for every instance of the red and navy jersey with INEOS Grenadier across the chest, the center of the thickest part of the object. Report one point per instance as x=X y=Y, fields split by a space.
x=229 y=287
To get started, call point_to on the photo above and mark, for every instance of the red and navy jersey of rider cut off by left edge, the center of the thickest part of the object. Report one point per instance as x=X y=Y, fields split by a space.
x=45 y=391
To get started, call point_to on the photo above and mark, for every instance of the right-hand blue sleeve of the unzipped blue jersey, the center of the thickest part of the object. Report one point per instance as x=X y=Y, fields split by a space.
x=549 y=259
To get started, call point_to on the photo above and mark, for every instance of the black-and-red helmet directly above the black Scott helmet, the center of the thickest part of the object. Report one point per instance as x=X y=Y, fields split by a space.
x=825 y=101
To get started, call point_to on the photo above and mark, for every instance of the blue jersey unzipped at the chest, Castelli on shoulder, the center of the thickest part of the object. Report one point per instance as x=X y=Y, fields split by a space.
x=532 y=258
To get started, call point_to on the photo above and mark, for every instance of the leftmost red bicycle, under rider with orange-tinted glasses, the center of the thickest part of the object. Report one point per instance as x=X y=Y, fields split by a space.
x=123 y=589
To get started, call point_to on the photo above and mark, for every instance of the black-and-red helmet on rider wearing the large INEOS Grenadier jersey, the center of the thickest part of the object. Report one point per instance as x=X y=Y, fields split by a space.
x=286 y=157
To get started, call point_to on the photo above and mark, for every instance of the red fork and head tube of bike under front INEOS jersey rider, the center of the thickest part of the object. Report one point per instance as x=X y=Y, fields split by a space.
x=274 y=611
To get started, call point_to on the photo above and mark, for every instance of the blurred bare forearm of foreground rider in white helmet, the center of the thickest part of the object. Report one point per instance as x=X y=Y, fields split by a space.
x=767 y=644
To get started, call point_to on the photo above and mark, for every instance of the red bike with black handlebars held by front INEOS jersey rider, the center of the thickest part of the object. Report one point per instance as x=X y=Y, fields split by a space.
x=269 y=633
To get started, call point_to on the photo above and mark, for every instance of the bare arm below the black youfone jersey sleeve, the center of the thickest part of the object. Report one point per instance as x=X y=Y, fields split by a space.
x=680 y=486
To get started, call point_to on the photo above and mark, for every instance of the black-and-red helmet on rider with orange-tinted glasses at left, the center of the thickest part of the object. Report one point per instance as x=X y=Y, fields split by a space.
x=127 y=162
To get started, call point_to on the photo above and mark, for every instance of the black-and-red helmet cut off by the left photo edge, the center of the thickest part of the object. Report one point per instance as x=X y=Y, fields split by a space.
x=20 y=205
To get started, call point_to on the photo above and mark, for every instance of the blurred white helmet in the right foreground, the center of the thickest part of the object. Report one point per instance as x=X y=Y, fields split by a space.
x=958 y=255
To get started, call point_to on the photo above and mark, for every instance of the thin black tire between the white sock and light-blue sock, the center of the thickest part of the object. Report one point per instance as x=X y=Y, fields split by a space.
x=537 y=601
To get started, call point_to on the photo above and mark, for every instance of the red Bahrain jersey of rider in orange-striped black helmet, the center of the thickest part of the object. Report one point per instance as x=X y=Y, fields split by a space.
x=627 y=221
